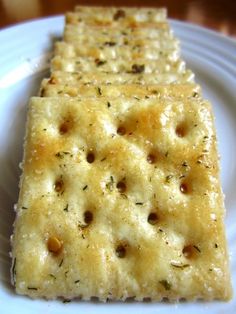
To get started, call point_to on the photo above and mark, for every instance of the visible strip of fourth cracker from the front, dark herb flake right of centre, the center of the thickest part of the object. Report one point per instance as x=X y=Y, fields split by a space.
x=164 y=64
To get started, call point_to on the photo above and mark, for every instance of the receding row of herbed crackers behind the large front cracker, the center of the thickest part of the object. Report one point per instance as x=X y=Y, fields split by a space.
x=134 y=50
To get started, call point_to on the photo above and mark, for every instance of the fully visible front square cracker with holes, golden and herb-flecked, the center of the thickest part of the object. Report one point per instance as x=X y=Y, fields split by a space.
x=120 y=201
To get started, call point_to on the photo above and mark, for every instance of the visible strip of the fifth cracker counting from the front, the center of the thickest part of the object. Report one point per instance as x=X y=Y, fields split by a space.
x=149 y=49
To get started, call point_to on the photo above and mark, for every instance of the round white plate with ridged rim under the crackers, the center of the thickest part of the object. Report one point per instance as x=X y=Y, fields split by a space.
x=25 y=51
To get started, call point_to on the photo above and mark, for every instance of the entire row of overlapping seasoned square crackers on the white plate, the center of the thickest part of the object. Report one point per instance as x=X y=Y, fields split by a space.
x=120 y=195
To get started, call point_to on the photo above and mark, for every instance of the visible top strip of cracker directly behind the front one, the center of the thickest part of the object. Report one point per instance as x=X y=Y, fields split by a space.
x=120 y=90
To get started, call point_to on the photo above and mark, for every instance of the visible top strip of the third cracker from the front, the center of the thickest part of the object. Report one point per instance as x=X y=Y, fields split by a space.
x=73 y=78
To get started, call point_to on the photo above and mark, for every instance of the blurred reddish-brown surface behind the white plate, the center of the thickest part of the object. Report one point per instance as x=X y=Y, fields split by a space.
x=219 y=15
